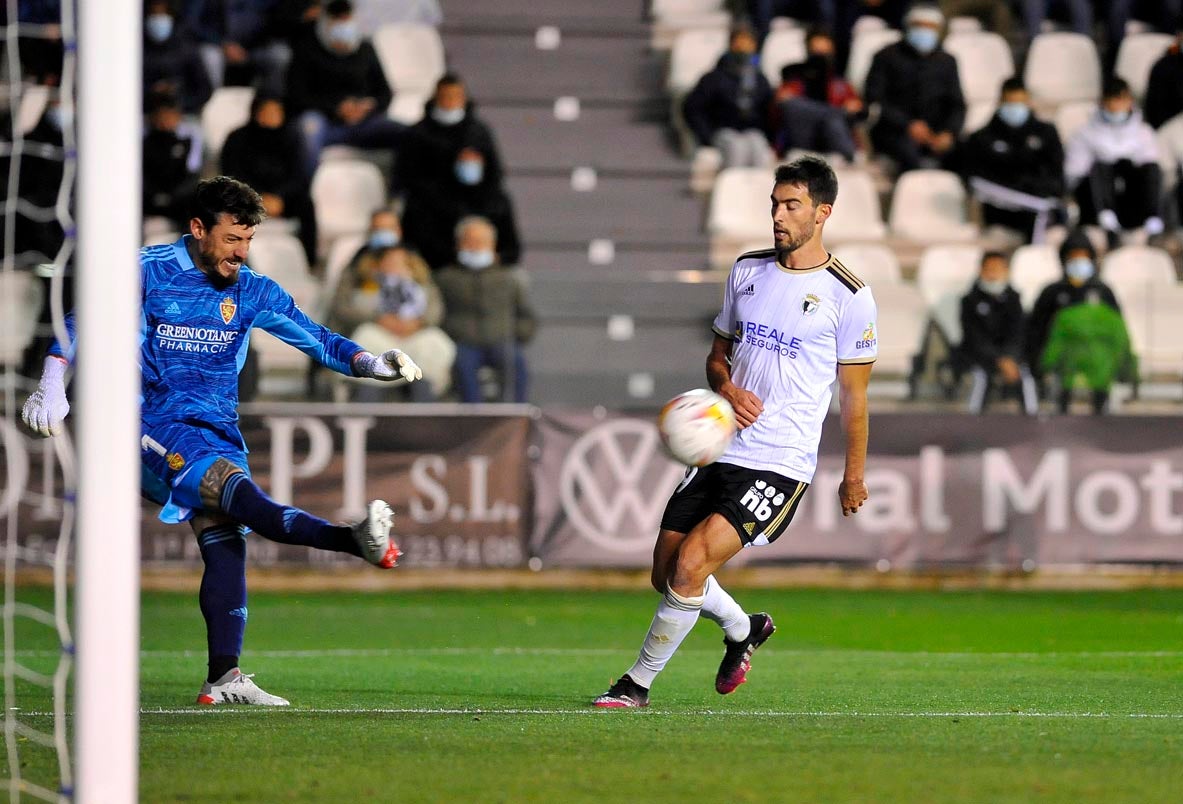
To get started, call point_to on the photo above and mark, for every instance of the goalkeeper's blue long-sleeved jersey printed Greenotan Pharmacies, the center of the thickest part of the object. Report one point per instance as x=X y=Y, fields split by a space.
x=195 y=339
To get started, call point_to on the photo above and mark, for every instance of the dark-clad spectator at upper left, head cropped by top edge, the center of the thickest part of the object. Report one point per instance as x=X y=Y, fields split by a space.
x=241 y=42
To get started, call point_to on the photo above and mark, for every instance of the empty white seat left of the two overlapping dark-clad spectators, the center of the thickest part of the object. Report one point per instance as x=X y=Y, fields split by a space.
x=345 y=193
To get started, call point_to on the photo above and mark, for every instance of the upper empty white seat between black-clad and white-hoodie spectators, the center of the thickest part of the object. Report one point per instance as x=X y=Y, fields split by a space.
x=1063 y=67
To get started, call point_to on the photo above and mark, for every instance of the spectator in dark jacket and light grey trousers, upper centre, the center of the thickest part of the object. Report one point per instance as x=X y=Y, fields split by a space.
x=729 y=108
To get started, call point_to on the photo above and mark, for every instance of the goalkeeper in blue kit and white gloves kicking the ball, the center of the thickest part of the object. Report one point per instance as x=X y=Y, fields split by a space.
x=199 y=304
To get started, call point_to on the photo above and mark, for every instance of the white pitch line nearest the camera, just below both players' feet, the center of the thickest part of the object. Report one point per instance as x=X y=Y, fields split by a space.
x=215 y=711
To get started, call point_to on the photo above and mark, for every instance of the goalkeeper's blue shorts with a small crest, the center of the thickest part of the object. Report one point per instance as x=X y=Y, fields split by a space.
x=174 y=458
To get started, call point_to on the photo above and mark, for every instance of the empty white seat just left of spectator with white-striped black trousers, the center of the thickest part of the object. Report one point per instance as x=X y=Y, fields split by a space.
x=929 y=206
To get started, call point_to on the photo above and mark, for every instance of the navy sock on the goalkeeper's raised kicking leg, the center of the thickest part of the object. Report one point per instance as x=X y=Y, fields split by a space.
x=248 y=504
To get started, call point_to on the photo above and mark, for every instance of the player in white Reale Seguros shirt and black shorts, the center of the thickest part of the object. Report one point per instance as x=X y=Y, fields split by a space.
x=793 y=319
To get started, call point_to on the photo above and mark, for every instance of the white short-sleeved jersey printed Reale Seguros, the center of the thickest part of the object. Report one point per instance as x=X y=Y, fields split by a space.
x=790 y=329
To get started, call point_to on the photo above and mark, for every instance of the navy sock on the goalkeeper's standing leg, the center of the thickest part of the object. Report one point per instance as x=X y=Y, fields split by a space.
x=224 y=596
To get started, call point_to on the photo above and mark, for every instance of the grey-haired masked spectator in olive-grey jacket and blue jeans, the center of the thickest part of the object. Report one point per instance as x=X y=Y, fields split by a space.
x=487 y=314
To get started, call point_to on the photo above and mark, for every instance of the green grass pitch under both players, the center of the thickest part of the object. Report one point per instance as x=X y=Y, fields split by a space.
x=484 y=697
